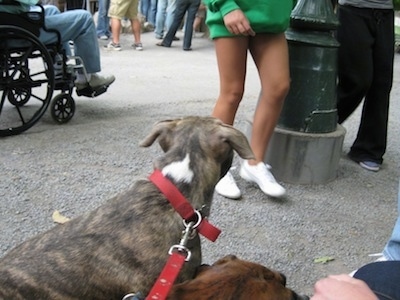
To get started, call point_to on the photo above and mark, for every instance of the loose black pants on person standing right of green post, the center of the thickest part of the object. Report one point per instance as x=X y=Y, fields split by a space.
x=365 y=71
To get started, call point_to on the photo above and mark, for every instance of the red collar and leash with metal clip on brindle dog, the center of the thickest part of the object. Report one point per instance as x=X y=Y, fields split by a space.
x=178 y=253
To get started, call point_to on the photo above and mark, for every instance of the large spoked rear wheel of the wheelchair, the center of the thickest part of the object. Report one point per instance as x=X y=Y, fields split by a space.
x=26 y=80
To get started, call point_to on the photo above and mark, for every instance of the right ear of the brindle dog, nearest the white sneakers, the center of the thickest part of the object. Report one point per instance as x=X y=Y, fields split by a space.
x=237 y=140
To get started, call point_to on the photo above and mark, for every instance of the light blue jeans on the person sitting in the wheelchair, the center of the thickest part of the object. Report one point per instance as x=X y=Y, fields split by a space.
x=77 y=26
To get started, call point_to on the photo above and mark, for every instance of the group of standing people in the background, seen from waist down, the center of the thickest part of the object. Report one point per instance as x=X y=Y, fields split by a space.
x=164 y=17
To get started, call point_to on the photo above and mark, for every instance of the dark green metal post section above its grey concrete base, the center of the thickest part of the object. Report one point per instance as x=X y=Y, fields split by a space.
x=310 y=105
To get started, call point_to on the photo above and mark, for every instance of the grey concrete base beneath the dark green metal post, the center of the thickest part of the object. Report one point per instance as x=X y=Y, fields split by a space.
x=304 y=158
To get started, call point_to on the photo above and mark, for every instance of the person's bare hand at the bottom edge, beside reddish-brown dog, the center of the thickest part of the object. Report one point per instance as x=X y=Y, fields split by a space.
x=342 y=287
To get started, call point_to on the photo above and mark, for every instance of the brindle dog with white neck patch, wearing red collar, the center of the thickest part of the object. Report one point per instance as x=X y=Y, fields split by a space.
x=122 y=246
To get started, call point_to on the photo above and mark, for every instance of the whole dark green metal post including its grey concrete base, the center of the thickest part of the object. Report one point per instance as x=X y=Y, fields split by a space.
x=307 y=142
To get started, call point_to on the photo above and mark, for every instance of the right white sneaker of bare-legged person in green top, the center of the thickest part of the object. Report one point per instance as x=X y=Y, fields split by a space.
x=261 y=175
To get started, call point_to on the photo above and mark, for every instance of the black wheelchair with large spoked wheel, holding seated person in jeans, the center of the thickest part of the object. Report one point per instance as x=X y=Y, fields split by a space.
x=30 y=72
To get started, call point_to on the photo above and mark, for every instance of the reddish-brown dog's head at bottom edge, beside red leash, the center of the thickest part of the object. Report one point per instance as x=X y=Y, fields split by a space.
x=233 y=278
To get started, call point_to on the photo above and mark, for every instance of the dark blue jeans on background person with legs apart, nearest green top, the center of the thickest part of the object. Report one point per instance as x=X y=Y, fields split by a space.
x=183 y=6
